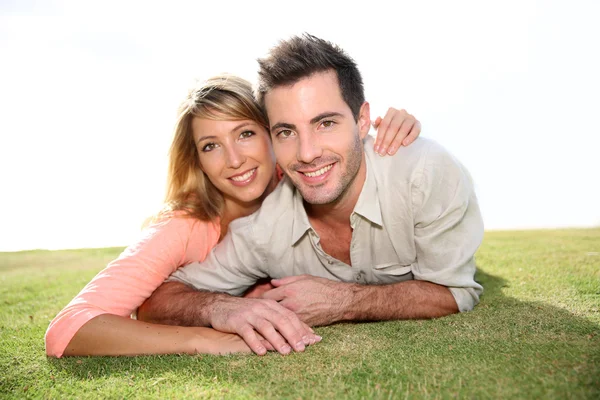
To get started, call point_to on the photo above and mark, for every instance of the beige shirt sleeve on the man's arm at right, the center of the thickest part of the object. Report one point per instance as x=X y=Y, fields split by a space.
x=448 y=227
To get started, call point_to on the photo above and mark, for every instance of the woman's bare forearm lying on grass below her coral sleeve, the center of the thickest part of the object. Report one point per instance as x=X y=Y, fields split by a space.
x=112 y=335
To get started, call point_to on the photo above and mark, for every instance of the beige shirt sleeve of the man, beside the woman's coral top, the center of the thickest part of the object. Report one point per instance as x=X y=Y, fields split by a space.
x=234 y=265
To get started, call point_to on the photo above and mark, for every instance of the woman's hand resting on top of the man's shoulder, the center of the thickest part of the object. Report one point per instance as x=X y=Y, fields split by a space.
x=397 y=128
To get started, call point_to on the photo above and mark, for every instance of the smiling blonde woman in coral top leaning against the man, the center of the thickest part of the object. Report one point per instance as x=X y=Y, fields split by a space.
x=219 y=129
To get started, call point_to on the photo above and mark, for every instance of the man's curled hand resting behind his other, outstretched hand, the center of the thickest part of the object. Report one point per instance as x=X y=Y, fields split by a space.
x=317 y=301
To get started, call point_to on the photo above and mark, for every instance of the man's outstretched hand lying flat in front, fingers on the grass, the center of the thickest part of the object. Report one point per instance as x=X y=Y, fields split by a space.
x=257 y=319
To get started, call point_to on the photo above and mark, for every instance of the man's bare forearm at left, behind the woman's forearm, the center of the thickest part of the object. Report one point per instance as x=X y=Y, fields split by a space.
x=175 y=303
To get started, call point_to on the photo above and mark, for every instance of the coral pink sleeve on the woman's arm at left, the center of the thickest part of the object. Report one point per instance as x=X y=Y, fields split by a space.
x=129 y=280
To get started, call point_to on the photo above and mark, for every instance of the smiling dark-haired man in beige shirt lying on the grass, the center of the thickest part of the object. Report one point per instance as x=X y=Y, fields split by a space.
x=349 y=235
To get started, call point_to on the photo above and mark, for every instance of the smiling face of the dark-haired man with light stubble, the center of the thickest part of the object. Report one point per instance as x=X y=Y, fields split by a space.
x=317 y=142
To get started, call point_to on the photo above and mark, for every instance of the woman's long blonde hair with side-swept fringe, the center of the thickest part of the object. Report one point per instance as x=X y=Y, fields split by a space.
x=220 y=98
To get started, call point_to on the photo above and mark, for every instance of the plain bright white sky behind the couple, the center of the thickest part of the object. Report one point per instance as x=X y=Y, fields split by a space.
x=89 y=90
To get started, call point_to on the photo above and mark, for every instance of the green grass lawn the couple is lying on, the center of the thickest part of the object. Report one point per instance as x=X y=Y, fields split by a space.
x=535 y=334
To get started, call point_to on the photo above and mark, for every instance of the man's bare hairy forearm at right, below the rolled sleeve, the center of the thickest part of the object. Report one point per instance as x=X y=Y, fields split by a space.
x=403 y=300
